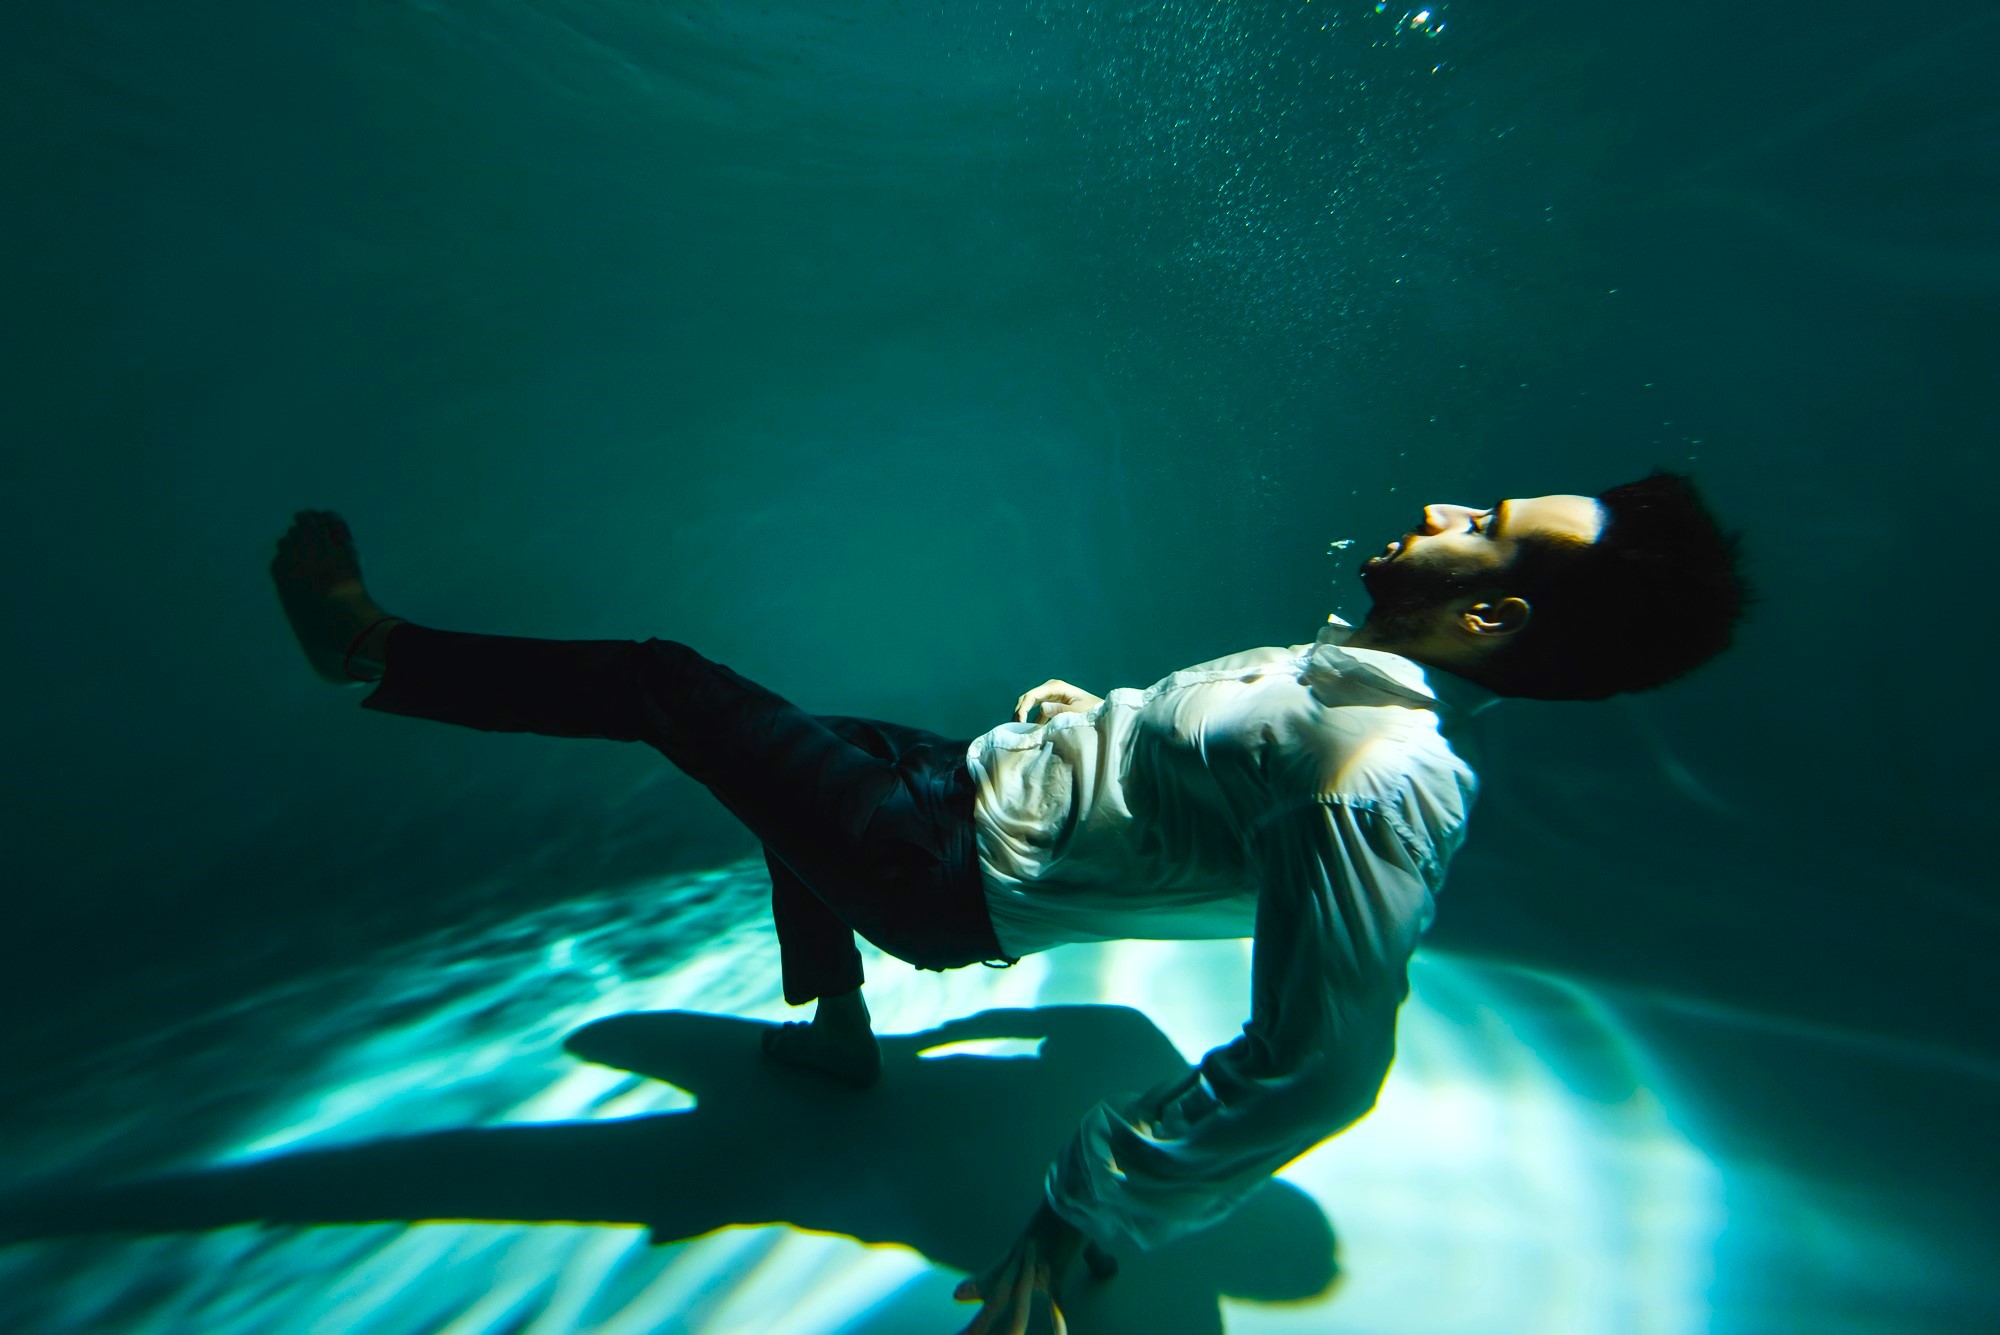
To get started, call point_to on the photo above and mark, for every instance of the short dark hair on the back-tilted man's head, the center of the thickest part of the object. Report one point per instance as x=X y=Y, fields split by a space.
x=1651 y=601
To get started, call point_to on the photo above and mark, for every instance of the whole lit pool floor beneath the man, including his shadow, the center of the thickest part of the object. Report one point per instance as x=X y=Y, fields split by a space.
x=563 y=1124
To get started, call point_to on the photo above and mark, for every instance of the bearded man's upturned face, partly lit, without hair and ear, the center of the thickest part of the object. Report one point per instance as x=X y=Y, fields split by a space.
x=1459 y=549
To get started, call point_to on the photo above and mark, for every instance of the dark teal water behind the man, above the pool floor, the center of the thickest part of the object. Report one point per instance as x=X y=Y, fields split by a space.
x=907 y=355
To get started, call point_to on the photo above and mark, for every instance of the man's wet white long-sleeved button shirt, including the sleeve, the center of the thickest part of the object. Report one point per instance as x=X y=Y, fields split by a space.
x=1305 y=796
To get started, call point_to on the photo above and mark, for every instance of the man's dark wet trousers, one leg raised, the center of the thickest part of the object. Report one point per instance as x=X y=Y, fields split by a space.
x=867 y=826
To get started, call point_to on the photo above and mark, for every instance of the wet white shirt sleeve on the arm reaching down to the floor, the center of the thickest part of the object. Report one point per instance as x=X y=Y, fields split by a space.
x=1341 y=906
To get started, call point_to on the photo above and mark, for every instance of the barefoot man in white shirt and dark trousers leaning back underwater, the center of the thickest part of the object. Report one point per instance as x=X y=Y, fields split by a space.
x=1307 y=796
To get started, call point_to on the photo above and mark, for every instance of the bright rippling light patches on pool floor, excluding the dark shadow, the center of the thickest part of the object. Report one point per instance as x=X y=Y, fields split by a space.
x=1533 y=1164
